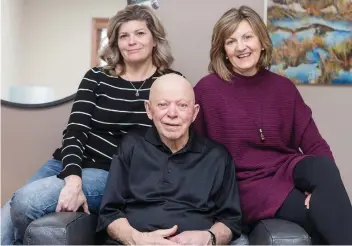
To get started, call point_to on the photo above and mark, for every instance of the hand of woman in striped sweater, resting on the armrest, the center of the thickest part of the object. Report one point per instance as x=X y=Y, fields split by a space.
x=71 y=196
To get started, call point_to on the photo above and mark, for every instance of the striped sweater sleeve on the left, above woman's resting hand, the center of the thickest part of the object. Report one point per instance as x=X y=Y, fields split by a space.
x=78 y=127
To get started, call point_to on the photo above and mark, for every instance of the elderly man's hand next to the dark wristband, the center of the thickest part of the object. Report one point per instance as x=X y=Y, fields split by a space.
x=192 y=238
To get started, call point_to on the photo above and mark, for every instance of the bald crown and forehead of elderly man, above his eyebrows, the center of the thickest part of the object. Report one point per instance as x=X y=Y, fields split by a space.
x=171 y=85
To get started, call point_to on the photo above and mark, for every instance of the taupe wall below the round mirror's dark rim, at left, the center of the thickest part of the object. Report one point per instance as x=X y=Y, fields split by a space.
x=28 y=139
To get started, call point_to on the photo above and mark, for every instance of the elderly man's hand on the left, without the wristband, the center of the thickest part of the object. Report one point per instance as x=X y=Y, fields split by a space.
x=157 y=237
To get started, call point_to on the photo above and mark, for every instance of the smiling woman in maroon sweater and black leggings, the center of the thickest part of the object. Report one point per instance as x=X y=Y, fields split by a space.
x=285 y=169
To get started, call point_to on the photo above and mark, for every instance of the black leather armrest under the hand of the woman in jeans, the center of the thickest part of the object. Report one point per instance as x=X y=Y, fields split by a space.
x=62 y=228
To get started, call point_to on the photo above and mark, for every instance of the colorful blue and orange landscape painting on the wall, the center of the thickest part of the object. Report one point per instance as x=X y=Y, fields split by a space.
x=312 y=40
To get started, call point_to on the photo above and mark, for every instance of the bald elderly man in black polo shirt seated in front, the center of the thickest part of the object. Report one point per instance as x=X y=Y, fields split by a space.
x=171 y=186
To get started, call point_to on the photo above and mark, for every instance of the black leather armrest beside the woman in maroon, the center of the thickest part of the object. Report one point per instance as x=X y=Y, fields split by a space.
x=278 y=232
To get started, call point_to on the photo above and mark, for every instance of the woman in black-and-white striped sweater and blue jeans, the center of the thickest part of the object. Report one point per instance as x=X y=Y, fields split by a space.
x=108 y=104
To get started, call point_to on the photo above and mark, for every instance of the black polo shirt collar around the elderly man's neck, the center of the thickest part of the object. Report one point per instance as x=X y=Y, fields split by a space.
x=193 y=145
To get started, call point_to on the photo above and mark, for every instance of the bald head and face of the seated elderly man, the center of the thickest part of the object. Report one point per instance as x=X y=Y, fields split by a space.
x=172 y=108
